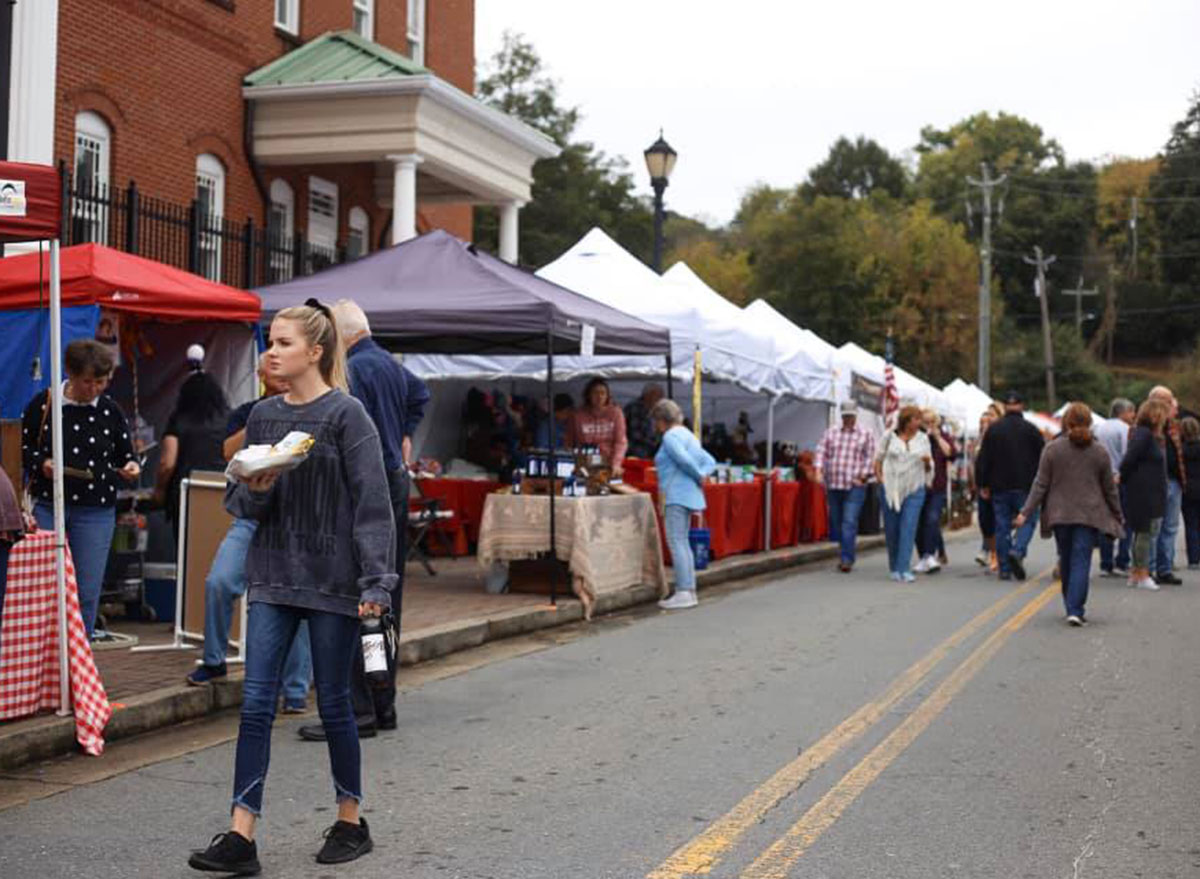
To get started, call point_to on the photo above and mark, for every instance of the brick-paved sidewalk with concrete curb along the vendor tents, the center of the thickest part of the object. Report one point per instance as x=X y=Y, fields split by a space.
x=442 y=615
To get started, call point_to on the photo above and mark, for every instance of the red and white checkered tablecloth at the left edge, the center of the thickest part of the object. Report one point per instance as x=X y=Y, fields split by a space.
x=29 y=645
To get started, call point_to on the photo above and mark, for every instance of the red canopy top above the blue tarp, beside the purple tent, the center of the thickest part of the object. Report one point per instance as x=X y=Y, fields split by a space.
x=95 y=274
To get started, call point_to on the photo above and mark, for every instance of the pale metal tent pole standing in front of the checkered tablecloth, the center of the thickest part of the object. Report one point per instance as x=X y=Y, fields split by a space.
x=61 y=542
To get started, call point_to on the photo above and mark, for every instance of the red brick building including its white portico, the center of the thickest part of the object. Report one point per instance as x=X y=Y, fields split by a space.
x=310 y=117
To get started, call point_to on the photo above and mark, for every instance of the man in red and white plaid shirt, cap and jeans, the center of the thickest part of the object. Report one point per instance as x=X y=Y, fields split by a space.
x=844 y=465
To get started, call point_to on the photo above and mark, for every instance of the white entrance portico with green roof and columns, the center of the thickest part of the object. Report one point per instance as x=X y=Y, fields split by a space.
x=345 y=99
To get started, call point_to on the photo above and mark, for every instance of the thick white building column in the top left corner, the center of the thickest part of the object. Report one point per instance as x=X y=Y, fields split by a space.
x=33 y=76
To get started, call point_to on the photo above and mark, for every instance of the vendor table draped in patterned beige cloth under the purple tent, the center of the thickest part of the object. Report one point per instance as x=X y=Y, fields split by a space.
x=611 y=543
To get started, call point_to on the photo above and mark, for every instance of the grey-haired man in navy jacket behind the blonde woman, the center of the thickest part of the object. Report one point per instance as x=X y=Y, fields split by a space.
x=395 y=399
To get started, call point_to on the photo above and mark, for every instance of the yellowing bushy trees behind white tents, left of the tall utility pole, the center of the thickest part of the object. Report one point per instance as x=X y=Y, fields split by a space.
x=853 y=270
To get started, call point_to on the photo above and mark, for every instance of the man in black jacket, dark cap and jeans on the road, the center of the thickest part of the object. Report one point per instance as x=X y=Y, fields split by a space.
x=1007 y=465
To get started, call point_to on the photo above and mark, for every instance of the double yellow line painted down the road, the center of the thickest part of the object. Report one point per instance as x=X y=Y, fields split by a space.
x=699 y=857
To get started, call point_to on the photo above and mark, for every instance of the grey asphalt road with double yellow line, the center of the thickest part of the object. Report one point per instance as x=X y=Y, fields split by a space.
x=814 y=726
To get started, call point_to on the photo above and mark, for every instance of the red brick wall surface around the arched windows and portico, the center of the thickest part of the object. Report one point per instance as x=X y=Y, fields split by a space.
x=166 y=76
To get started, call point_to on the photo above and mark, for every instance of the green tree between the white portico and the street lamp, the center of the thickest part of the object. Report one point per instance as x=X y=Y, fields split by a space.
x=580 y=189
